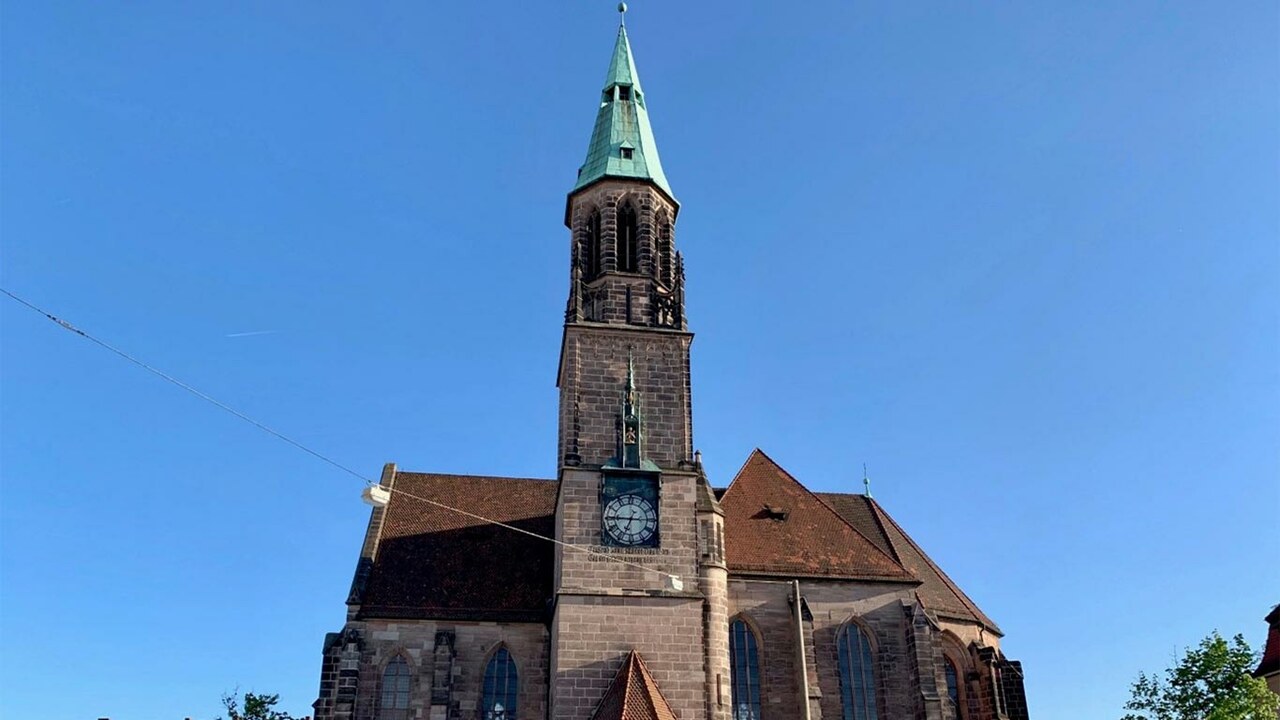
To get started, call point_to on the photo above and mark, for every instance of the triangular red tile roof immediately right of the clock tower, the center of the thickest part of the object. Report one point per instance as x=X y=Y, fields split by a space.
x=774 y=526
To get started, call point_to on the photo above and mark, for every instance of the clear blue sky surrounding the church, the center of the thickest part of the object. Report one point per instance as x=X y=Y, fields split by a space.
x=1021 y=259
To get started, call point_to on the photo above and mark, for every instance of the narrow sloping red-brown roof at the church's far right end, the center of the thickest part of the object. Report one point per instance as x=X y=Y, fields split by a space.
x=938 y=593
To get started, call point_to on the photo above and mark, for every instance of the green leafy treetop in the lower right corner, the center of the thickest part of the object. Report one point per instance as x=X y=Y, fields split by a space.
x=1212 y=682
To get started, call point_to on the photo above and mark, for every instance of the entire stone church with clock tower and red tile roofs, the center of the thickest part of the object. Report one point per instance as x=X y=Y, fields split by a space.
x=629 y=585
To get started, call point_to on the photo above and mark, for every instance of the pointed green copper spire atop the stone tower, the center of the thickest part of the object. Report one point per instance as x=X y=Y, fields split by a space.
x=623 y=144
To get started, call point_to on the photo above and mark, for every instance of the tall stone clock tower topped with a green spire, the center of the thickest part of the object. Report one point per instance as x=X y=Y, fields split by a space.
x=630 y=486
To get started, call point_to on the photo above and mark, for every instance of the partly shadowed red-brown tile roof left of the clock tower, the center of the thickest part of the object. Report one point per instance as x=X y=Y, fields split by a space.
x=436 y=563
